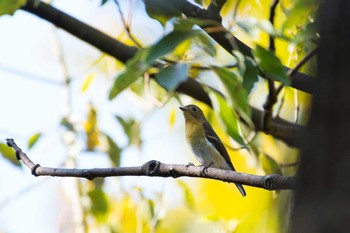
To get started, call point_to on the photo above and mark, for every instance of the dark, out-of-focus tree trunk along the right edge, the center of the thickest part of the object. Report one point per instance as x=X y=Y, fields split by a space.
x=322 y=200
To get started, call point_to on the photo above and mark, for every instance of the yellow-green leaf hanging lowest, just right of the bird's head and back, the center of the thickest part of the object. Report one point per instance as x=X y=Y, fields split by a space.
x=228 y=117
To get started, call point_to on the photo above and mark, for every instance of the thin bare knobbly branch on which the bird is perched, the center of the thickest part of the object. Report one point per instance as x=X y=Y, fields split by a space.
x=155 y=168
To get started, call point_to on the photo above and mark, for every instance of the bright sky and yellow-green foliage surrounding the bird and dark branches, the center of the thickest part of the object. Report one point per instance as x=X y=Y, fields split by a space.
x=68 y=105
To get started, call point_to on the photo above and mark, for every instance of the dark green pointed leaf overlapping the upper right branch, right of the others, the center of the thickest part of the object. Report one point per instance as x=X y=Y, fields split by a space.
x=271 y=65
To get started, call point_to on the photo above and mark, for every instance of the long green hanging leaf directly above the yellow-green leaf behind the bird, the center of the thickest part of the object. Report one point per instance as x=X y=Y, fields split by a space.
x=238 y=96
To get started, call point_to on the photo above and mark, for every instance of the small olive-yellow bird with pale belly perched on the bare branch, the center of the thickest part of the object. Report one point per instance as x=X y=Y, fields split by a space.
x=205 y=143
